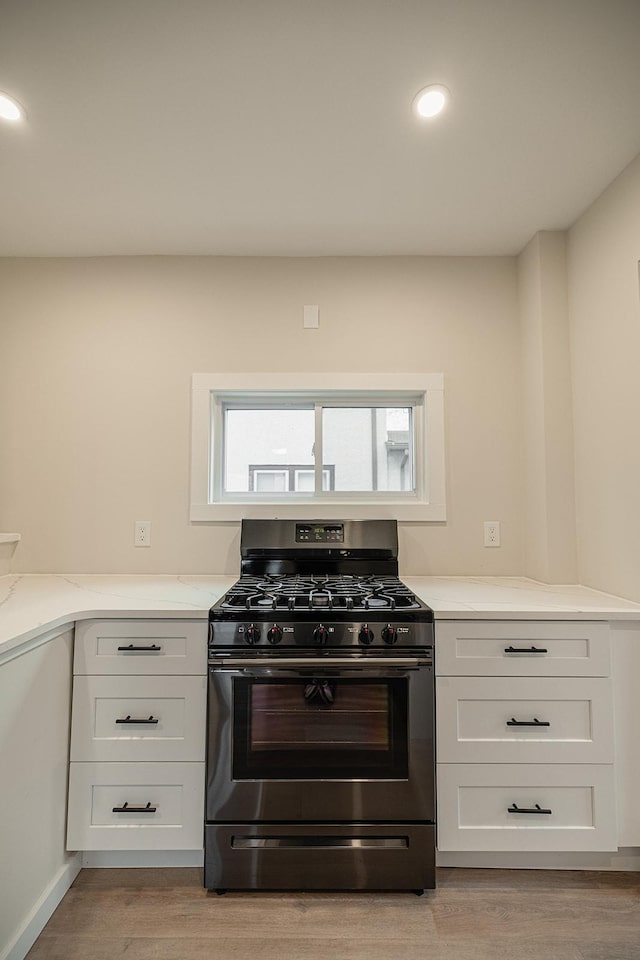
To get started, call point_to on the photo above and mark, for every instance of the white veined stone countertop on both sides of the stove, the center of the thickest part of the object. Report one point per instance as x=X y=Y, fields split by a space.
x=32 y=604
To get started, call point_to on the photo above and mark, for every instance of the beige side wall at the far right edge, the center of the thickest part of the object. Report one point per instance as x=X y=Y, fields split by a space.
x=604 y=309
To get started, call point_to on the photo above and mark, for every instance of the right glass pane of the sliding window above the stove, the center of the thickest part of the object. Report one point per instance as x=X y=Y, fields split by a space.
x=371 y=447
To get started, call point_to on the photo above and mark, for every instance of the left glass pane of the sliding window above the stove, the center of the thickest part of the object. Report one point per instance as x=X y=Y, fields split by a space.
x=260 y=441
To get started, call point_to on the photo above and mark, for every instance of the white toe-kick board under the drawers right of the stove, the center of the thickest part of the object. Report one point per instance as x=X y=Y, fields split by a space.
x=625 y=858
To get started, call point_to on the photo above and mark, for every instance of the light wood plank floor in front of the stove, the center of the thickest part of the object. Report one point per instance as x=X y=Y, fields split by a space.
x=472 y=915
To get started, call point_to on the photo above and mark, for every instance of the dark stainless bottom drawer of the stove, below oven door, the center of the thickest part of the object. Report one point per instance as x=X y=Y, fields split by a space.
x=319 y=856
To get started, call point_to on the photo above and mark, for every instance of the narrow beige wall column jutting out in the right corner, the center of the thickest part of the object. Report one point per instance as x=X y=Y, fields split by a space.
x=547 y=418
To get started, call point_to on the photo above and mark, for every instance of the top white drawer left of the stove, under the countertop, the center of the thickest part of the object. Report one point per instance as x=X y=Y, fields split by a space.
x=141 y=646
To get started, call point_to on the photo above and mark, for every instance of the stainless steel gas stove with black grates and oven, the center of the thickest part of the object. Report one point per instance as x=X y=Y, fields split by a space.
x=320 y=761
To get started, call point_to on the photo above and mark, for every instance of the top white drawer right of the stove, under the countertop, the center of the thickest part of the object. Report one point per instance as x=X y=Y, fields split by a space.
x=522 y=648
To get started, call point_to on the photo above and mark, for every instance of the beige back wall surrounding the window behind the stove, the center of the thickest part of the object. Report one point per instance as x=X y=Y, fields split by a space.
x=96 y=361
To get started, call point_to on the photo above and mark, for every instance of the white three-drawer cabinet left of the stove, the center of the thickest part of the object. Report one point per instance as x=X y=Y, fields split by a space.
x=138 y=736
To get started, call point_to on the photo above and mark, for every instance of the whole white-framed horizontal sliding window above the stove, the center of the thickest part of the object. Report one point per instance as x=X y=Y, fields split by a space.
x=317 y=446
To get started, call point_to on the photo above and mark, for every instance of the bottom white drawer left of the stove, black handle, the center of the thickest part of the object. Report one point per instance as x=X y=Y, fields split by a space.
x=171 y=794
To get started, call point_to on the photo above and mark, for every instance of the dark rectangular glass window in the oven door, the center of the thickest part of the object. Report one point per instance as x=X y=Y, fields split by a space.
x=320 y=728
